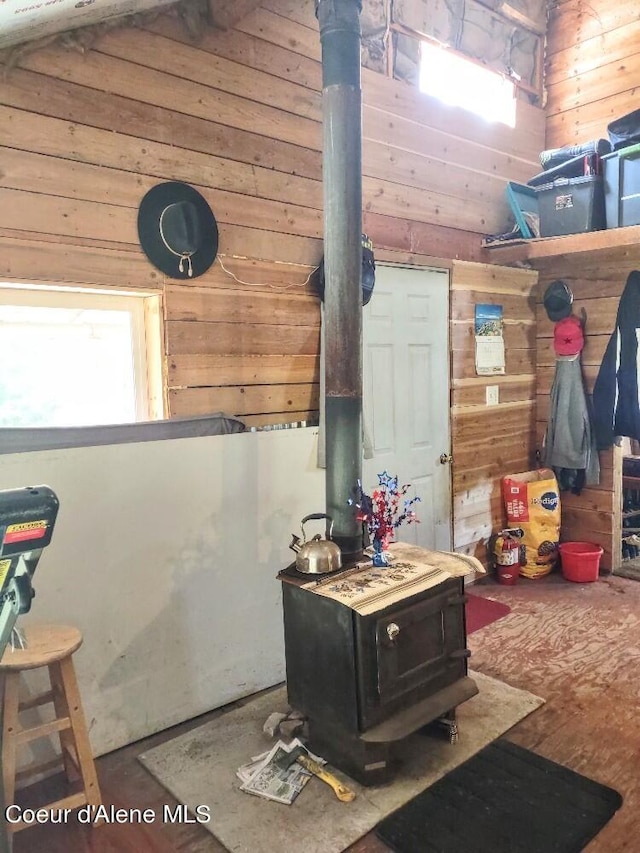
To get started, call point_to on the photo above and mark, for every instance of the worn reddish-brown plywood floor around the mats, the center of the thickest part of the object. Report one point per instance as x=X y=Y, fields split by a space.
x=577 y=645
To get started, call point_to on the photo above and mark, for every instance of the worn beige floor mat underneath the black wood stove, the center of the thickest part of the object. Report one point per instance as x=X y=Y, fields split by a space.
x=199 y=768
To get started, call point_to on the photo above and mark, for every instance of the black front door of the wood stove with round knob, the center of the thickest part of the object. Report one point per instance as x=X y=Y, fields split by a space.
x=410 y=651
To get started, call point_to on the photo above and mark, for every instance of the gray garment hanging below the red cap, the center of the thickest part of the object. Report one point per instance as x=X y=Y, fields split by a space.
x=569 y=442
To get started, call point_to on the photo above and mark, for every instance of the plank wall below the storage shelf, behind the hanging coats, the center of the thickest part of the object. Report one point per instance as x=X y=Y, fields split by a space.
x=597 y=280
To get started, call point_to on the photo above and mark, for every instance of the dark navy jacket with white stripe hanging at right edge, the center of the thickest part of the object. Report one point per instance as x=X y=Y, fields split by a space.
x=615 y=394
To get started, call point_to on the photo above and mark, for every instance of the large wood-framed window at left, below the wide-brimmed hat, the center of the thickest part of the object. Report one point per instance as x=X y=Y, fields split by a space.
x=78 y=358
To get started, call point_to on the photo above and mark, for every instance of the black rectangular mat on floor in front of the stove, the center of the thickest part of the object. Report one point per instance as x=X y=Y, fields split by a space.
x=505 y=799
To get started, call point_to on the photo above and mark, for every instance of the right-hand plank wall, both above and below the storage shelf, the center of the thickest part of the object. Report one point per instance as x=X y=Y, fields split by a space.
x=592 y=68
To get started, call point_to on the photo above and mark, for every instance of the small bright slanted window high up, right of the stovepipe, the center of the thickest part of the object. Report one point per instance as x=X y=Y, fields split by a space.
x=463 y=83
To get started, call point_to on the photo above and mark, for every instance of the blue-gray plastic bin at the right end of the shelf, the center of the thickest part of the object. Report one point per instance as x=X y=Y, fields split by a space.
x=621 y=171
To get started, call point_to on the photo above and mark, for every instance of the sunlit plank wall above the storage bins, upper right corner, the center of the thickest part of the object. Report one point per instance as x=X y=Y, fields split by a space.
x=592 y=67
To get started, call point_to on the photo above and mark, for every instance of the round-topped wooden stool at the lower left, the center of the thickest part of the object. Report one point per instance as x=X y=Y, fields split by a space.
x=51 y=646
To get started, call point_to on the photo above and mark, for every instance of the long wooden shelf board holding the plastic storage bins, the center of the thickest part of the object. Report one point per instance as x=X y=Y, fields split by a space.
x=570 y=244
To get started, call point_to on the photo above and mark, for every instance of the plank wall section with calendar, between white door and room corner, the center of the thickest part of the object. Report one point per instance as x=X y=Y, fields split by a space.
x=489 y=442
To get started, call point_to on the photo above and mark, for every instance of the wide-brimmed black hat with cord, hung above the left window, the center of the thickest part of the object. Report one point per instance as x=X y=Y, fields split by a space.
x=177 y=230
